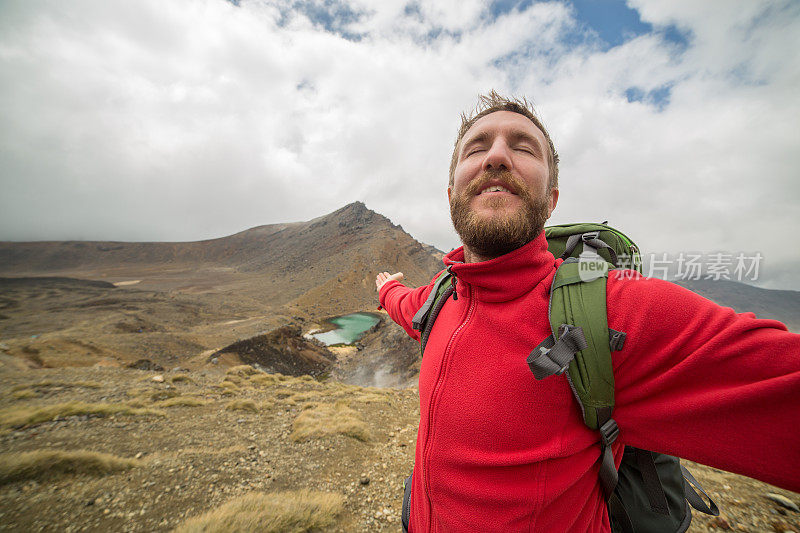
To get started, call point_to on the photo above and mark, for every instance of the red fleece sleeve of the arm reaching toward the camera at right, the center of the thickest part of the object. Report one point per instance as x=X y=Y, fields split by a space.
x=700 y=381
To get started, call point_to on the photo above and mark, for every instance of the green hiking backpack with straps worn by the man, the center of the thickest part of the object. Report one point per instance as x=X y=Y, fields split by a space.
x=650 y=491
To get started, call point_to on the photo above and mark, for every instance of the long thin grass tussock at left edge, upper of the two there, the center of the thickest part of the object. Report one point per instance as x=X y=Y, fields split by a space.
x=24 y=416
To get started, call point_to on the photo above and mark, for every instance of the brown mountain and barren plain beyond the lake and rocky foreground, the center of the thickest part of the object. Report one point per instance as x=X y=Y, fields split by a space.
x=176 y=303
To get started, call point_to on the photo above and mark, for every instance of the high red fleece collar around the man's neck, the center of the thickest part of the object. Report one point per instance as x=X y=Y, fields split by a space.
x=506 y=277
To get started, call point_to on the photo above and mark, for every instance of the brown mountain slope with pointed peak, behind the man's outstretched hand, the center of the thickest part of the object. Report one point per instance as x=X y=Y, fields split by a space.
x=325 y=266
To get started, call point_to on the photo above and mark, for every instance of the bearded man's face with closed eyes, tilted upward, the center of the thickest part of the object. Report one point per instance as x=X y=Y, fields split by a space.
x=499 y=199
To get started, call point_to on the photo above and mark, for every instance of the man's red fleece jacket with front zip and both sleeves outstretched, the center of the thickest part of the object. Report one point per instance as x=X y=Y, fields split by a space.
x=499 y=451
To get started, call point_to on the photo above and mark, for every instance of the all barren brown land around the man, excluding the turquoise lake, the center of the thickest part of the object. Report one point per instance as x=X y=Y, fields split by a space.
x=88 y=443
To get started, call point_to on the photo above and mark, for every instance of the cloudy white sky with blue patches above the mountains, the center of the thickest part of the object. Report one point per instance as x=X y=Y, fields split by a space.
x=190 y=119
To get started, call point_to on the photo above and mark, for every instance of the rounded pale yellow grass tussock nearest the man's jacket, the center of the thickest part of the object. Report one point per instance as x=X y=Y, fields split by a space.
x=327 y=419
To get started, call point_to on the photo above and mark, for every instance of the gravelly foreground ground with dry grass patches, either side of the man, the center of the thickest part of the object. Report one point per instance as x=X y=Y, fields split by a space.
x=194 y=452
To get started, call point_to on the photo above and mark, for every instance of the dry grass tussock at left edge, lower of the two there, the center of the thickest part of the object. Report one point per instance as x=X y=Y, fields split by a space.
x=46 y=464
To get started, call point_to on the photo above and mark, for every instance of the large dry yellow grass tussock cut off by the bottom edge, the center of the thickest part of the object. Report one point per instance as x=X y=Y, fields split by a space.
x=292 y=511
